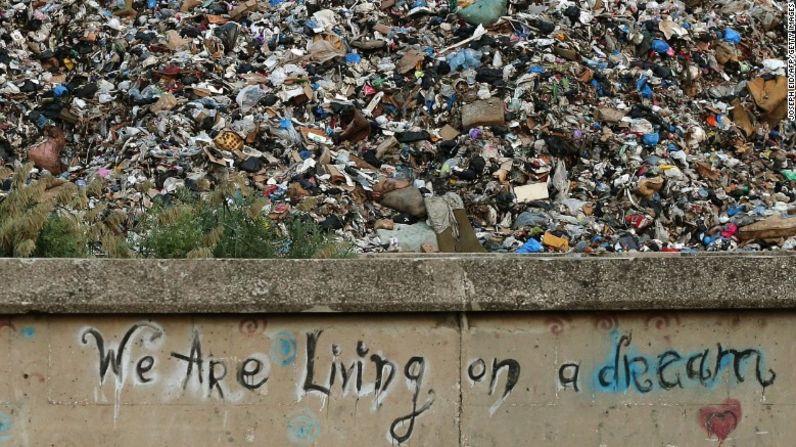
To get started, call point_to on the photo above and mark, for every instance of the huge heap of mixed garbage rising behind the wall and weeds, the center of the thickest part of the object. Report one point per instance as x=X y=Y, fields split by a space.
x=420 y=125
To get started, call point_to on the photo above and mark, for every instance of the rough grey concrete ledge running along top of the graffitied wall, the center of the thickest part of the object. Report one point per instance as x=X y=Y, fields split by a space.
x=399 y=284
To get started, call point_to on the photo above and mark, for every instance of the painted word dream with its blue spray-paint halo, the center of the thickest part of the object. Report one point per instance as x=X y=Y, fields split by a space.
x=627 y=369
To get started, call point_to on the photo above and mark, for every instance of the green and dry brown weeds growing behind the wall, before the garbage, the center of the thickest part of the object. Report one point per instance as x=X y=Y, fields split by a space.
x=50 y=217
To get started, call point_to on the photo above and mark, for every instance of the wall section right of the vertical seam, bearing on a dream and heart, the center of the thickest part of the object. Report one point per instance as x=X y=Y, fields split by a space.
x=681 y=379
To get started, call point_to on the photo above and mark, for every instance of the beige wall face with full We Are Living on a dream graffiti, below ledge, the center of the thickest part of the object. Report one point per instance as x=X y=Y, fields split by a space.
x=654 y=378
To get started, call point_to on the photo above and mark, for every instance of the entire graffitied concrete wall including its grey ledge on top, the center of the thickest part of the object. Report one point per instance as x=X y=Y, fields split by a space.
x=618 y=352
